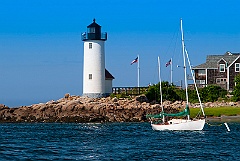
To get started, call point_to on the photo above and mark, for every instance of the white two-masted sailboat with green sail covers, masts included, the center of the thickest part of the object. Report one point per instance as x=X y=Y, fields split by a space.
x=177 y=123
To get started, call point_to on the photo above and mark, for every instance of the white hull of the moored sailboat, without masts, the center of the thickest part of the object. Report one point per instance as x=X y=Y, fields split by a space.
x=180 y=124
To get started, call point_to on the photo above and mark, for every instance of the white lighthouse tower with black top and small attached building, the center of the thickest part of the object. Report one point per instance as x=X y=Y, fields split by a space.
x=97 y=81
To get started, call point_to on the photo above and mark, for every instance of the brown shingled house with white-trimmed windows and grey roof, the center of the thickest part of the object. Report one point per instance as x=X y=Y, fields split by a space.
x=218 y=70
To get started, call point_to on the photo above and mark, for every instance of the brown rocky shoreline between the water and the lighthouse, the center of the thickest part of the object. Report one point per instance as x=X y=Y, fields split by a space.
x=84 y=110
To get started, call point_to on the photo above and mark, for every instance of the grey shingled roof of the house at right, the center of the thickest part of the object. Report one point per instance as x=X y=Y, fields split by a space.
x=212 y=60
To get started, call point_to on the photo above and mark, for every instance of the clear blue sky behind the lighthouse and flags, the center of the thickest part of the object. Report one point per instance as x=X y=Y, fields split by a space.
x=41 y=51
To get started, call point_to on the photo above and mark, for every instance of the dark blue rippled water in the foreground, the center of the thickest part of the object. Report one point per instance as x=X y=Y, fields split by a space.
x=116 y=141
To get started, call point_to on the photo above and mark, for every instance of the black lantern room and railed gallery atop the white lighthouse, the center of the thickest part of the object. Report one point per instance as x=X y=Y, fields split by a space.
x=94 y=33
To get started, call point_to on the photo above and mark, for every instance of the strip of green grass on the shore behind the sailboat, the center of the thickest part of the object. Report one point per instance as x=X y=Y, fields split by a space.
x=217 y=111
